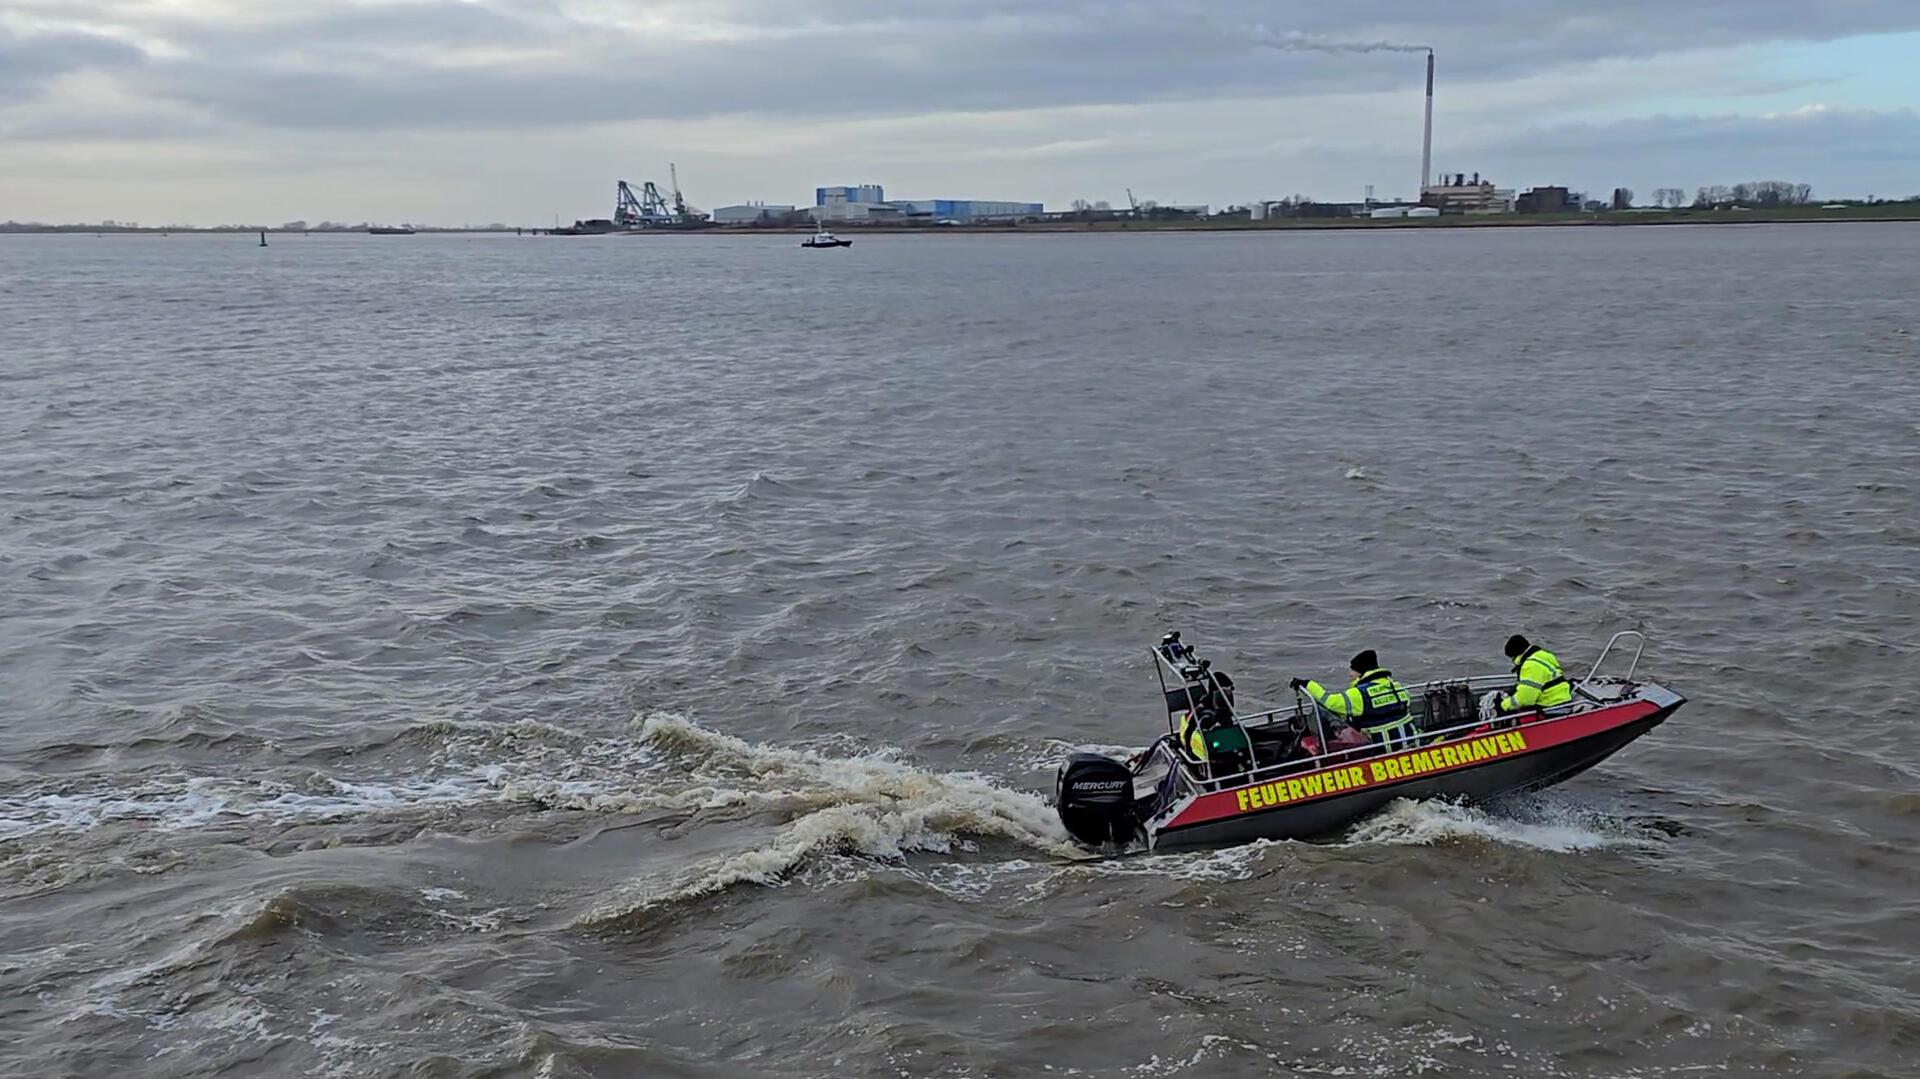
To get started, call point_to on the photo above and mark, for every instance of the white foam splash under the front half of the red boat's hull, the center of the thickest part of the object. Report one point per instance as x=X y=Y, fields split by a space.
x=1541 y=827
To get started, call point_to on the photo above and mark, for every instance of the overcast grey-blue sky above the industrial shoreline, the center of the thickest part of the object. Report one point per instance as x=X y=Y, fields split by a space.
x=521 y=110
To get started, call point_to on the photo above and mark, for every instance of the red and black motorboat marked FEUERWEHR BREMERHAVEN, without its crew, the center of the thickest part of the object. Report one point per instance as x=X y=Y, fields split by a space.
x=1301 y=773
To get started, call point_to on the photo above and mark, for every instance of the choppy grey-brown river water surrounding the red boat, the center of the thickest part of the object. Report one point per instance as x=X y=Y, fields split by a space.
x=642 y=658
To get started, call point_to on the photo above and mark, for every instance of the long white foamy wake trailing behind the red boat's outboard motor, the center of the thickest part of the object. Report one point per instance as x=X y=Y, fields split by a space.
x=865 y=807
